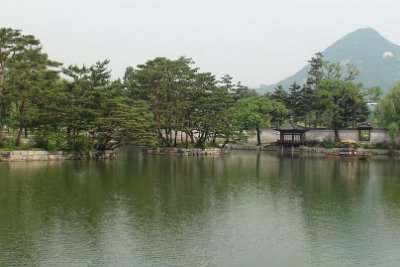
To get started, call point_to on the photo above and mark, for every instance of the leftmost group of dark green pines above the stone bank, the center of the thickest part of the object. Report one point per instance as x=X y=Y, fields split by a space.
x=73 y=108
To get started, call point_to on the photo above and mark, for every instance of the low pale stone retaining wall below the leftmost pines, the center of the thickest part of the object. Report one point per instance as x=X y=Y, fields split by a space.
x=25 y=155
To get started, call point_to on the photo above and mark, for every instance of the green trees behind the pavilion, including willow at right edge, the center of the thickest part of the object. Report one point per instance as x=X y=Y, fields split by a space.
x=331 y=98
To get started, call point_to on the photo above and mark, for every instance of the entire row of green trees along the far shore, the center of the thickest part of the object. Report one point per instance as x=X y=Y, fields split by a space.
x=162 y=102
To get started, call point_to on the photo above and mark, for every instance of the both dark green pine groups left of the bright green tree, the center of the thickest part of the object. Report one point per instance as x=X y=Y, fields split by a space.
x=79 y=108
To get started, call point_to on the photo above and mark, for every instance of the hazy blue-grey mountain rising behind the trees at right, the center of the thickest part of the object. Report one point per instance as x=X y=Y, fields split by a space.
x=377 y=59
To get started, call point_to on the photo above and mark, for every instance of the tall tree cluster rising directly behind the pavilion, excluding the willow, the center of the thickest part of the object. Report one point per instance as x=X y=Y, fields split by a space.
x=329 y=97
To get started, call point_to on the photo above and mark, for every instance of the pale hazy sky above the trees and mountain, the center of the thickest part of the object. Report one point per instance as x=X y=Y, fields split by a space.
x=255 y=41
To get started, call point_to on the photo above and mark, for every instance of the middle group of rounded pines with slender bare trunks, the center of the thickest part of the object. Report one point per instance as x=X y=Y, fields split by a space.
x=192 y=108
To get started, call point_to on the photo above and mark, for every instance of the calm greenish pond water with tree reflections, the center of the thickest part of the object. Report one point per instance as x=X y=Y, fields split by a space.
x=247 y=209
